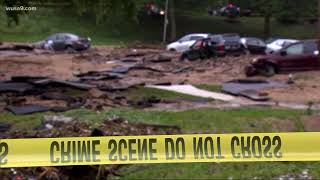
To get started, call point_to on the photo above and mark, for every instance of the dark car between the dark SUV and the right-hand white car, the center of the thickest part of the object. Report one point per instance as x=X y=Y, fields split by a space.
x=253 y=45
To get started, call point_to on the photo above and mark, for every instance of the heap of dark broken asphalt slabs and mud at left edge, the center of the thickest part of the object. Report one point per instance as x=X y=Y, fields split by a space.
x=26 y=95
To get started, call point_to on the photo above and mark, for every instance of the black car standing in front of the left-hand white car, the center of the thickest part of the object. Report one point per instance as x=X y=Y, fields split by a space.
x=201 y=49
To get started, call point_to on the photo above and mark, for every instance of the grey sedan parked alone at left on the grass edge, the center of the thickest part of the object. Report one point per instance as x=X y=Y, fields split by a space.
x=65 y=41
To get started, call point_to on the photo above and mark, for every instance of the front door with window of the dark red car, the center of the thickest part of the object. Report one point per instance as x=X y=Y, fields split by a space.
x=293 y=58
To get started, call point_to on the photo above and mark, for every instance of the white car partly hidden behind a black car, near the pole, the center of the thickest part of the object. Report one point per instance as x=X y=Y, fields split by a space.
x=185 y=42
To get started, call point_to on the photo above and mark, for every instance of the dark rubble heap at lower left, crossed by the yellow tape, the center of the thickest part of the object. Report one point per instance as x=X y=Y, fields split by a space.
x=60 y=126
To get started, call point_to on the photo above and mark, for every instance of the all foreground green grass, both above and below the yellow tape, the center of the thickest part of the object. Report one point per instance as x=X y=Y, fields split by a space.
x=196 y=121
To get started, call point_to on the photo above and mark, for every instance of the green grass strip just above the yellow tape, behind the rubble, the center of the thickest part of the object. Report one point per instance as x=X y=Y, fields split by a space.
x=191 y=121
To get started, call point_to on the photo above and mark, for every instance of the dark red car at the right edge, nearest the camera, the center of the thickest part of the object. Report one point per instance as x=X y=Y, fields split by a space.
x=299 y=56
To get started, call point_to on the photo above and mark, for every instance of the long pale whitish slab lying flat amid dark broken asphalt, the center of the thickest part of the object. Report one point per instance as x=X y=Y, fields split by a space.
x=191 y=90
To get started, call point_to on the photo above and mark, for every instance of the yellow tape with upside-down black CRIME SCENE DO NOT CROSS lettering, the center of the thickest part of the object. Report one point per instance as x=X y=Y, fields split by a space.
x=160 y=149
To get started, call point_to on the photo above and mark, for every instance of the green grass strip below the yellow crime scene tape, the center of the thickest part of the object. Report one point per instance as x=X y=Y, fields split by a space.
x=259 y=170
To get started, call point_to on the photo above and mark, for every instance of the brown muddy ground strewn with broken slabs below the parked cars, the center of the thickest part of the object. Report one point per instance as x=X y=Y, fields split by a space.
x=100 y=58
